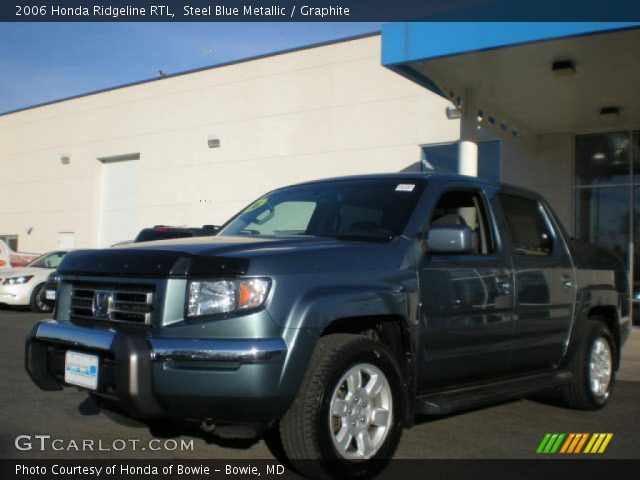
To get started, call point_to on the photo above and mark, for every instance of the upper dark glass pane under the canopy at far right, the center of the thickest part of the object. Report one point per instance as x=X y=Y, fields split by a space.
x=604 y=159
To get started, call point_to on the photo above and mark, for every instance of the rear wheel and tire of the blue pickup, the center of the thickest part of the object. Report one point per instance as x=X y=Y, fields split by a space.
x=593 y=365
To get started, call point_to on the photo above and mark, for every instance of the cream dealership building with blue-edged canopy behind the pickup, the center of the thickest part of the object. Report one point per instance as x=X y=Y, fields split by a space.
x=550 y=106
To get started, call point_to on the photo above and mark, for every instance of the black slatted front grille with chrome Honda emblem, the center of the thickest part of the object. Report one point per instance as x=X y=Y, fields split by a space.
x=120 y=303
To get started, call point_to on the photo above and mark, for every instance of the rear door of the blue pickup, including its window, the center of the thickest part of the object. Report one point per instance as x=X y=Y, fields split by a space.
x=544 y=283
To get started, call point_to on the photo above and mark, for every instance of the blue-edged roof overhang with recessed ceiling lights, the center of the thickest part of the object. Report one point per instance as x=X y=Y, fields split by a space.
x=508 y=67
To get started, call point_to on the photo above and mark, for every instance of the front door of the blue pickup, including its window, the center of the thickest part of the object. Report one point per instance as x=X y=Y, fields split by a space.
x=466 y=300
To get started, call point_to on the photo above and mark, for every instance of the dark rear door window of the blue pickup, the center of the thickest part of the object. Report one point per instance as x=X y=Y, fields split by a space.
x=527 y=225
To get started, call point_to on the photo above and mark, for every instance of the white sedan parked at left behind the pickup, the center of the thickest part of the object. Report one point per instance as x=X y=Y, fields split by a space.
x=25 y=285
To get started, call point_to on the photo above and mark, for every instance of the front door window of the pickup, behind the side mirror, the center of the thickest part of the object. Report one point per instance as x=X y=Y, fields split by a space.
x=467 y=208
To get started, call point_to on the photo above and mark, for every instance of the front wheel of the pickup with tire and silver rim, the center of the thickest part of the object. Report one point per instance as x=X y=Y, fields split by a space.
x=330 y=407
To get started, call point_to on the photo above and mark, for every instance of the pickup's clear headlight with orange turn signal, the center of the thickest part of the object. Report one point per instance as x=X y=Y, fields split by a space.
x=225 y=296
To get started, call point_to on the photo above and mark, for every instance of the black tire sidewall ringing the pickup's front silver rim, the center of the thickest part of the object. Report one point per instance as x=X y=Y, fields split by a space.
x=380 y=357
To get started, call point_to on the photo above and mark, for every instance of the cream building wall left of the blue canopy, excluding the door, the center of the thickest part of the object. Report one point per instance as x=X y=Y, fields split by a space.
x=324 y=111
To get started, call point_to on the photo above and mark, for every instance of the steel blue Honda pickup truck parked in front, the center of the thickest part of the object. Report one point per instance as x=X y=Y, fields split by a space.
x=338 y=310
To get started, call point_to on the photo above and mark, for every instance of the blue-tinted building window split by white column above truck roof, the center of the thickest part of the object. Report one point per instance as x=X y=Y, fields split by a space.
x=443 y=158
